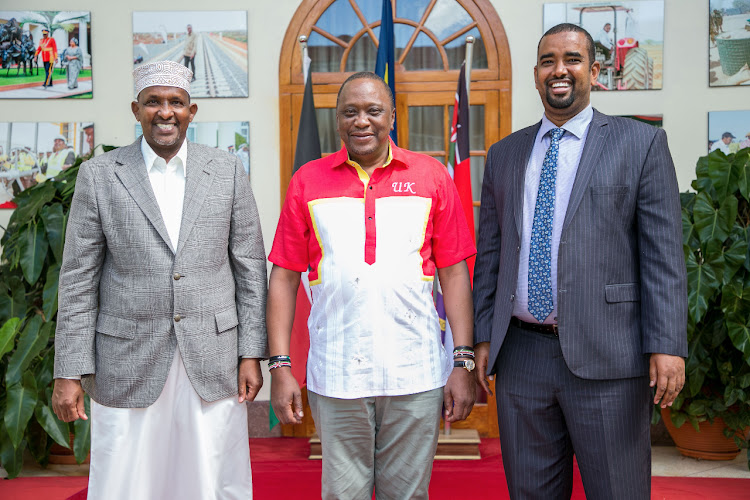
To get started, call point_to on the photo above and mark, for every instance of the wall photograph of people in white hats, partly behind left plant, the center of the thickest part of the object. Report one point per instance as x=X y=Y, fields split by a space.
x=32 y=152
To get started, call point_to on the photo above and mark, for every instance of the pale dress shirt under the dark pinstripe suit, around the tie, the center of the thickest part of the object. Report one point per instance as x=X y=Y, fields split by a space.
x=571 y=148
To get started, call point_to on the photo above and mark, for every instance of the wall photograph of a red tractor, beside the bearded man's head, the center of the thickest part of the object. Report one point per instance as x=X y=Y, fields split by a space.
x=628 y=38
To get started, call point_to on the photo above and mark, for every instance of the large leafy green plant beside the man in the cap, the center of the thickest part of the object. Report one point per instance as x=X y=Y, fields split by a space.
x=32 y=249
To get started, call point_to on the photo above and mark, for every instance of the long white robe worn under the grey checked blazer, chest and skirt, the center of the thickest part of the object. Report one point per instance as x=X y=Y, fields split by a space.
x=181 y=447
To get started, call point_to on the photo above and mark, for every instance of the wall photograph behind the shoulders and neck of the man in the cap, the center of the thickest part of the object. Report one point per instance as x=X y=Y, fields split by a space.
x=233 y=137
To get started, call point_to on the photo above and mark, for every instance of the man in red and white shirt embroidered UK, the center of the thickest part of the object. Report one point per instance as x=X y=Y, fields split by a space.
x=373 y=223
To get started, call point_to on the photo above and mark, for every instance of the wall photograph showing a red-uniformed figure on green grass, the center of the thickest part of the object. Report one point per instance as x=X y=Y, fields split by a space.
x=45 y=54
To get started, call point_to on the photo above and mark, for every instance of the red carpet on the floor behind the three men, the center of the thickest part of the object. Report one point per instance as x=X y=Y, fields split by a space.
x=281 y=470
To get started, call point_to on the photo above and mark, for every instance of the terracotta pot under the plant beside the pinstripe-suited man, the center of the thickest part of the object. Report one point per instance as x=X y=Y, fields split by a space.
x=708 y=444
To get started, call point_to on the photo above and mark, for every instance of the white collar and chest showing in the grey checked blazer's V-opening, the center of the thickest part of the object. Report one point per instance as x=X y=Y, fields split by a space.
x=168 y=183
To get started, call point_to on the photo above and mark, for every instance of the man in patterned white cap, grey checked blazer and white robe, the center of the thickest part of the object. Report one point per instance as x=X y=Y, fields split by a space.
x=162 y=295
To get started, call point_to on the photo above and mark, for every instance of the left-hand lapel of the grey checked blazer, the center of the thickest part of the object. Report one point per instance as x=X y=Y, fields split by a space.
x=131 y=170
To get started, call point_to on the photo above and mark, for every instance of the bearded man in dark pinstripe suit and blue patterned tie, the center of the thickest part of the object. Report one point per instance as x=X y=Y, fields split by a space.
x=580 y=286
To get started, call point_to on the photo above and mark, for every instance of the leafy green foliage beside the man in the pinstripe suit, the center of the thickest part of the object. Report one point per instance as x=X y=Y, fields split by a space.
x=716 y=231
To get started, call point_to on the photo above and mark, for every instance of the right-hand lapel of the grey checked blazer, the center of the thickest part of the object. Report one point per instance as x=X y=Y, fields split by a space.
x=199 y=174
